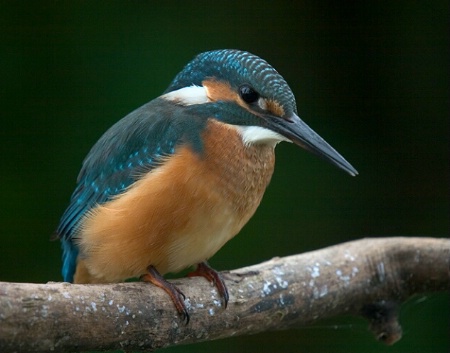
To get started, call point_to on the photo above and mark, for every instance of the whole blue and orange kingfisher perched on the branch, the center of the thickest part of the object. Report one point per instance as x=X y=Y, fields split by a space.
x=169 y=184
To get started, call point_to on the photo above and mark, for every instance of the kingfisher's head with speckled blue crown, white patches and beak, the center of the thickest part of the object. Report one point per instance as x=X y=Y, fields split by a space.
x=252 y=95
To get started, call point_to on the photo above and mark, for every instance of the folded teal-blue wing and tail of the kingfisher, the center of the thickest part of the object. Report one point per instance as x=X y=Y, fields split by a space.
x=131 y=147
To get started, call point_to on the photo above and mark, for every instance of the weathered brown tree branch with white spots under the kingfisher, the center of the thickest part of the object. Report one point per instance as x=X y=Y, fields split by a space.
x=369 y=277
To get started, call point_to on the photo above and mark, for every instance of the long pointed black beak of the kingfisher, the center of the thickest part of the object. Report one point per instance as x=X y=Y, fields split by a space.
x=301 y=134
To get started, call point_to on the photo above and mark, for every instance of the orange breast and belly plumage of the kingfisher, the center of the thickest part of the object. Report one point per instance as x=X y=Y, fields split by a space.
x=179 y=214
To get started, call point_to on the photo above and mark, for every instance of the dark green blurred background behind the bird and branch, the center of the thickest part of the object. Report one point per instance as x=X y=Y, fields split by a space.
x=370 y=77
